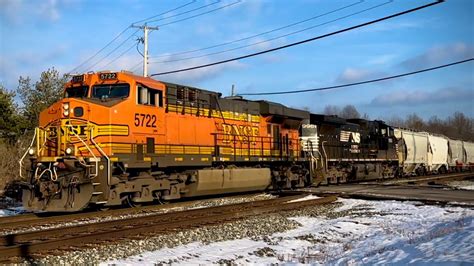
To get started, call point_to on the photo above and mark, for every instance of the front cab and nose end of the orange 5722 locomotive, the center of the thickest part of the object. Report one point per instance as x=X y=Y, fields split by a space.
x=73 y=145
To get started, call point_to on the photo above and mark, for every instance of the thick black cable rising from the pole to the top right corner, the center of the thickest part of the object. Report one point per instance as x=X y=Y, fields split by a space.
x=304 y=41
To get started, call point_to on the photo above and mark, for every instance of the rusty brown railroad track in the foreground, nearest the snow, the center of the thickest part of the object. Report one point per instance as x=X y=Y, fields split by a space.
x=40 y=243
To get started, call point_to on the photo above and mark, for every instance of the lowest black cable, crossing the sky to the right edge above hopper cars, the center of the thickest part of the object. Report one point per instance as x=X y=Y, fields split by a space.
x=363 y=82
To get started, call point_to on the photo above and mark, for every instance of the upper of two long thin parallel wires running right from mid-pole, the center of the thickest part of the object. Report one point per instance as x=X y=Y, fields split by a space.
x=259 y=34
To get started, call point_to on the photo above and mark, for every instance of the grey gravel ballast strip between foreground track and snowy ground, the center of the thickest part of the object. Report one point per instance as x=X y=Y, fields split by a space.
x=257 y=228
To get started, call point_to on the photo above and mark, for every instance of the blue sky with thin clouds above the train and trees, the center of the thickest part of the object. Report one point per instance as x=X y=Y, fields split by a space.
x=37 y=35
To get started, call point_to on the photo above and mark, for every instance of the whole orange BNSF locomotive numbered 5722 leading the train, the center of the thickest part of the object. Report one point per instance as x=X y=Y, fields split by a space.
x=119 y=138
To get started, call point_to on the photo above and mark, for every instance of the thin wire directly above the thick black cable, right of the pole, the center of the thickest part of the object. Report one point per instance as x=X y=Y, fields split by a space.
x=274 y=38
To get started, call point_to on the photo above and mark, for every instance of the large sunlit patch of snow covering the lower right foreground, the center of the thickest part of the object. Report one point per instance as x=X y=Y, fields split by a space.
x=359 y=232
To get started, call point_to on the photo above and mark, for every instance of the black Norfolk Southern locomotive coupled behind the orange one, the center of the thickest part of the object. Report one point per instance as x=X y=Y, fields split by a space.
x=353 y=149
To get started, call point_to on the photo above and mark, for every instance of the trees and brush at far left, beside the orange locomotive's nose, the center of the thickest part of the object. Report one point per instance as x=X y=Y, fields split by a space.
x=19 y=112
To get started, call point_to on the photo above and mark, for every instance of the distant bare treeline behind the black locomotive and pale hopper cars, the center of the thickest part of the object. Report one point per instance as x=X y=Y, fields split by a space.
x=456 y=126
